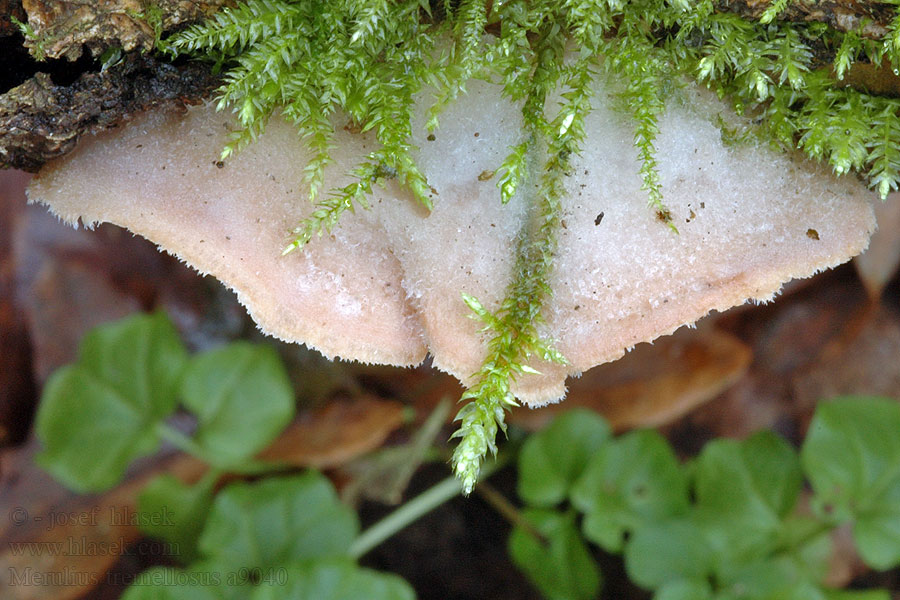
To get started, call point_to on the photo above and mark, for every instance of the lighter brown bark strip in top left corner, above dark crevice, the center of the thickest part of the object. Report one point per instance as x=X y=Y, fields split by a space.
x=63 y=27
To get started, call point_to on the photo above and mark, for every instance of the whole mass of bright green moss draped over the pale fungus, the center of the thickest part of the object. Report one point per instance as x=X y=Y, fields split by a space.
x=369 y=59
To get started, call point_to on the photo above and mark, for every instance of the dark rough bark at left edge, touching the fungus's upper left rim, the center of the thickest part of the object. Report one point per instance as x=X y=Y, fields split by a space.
x=40 y=120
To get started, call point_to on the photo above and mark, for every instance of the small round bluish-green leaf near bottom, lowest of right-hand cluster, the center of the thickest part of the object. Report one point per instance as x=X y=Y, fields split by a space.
x=666 y=552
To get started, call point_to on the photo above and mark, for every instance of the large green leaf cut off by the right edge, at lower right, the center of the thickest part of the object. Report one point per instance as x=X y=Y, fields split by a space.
x=852 y=459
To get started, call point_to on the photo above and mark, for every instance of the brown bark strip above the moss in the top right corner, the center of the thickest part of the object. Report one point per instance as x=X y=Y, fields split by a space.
x=871 y=19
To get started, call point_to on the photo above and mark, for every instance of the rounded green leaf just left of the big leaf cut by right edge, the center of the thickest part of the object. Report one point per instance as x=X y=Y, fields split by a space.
x=743 y=490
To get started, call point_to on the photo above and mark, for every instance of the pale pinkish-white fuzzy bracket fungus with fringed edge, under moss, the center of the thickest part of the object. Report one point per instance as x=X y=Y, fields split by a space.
x=385 y=286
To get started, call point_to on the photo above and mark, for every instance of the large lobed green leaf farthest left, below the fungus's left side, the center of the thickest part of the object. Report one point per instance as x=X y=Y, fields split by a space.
x=99 y=415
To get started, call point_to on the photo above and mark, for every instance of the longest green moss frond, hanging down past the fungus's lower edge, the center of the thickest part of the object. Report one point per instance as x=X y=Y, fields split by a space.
x=513 y=328
